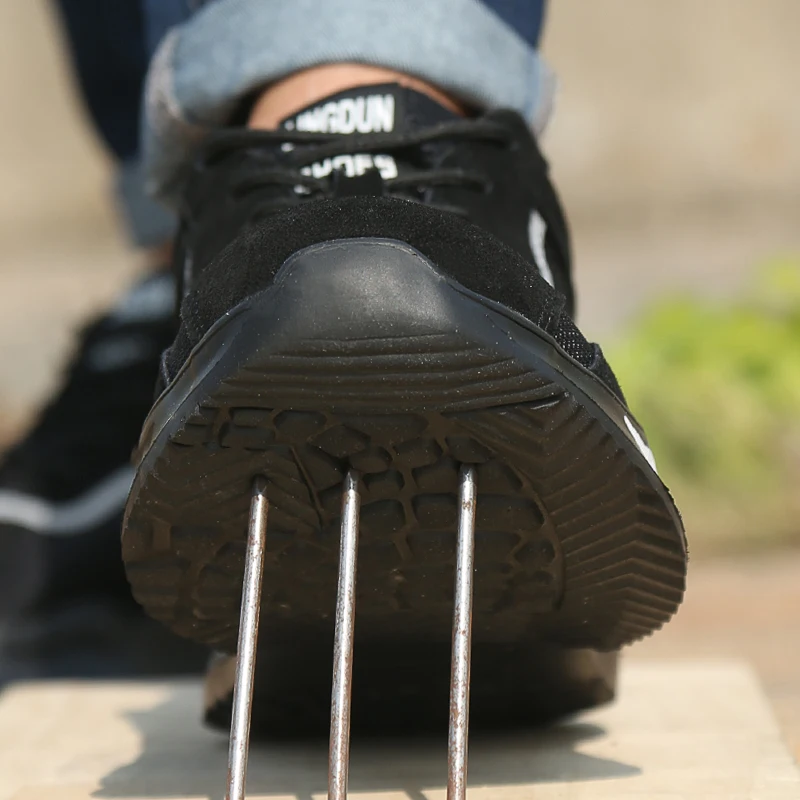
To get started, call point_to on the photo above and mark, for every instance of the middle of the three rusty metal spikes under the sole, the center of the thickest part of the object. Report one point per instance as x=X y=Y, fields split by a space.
x=339 y=754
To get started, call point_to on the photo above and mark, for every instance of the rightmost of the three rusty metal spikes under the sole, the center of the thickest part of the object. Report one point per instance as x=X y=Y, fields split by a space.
x=462 y=639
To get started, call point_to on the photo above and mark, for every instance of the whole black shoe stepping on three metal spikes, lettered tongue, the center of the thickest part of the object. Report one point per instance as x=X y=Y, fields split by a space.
x=383 y=287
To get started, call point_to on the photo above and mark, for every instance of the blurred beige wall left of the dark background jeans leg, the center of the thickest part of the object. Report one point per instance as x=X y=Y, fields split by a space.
x=53 y=175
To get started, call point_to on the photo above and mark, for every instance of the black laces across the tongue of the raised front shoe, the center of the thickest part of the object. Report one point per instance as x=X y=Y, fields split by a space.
x=293 y=150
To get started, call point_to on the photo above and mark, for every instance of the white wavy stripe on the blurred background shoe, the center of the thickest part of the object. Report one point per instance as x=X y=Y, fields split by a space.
x=72 y=516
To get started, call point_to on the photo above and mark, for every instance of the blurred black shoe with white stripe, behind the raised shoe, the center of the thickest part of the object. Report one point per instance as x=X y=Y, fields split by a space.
x=65 y=606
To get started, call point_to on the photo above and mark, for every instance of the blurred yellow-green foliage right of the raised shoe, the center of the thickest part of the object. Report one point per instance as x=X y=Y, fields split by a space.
x=717 y=388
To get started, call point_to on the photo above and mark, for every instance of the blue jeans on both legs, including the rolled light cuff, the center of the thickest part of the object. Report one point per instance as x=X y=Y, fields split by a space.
x=209 y=54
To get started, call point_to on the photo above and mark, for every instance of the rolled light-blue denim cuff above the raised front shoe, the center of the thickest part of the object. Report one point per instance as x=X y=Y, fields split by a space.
x=205 y=67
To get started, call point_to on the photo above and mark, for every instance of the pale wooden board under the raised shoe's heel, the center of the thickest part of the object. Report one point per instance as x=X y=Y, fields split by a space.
x=680 y=731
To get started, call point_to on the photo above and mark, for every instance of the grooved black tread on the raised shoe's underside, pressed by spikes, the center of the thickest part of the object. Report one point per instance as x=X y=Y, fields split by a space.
x=573 y=544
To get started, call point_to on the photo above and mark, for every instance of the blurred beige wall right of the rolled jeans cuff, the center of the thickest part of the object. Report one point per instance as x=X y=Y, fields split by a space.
x=683 y=102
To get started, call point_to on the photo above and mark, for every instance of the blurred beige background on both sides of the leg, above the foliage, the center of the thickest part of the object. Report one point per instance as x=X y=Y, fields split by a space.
x=674 y=143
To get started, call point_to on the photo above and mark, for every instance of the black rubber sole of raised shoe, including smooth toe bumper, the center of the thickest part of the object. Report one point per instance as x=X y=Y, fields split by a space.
x=363 y=356
